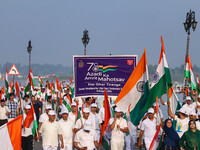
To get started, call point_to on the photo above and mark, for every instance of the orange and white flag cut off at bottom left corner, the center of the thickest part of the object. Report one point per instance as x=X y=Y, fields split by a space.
x=10 y=132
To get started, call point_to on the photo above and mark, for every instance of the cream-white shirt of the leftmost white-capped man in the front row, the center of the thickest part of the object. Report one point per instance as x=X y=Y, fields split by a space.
x=50 y=133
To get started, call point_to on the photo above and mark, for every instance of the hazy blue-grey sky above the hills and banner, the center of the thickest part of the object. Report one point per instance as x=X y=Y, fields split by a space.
x=117 y=27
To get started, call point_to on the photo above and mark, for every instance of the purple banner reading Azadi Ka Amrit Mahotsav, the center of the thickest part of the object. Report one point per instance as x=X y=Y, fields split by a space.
x=94 y=73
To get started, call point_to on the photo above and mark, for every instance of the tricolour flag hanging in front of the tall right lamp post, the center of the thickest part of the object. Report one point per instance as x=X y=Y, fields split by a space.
x=189 y=73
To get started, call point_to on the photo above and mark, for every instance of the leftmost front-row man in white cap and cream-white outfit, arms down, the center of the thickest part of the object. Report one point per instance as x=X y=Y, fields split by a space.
x=51 y=130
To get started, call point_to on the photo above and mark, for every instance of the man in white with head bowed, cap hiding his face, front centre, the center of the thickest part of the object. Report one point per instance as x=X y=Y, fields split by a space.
x=86 y=138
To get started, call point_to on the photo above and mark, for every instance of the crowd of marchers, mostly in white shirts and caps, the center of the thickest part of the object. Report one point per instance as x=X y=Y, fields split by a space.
x=80 y=127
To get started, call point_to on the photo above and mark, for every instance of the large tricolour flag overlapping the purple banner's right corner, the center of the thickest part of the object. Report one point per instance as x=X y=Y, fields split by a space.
x=135 y=91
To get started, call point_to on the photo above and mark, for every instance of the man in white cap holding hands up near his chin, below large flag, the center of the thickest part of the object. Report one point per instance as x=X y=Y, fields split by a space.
x=118 y=126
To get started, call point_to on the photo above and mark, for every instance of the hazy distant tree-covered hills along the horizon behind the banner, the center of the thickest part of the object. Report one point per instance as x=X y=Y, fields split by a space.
x=177 y=73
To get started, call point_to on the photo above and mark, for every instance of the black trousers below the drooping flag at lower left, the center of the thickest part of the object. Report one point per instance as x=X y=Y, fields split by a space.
x=27 y=143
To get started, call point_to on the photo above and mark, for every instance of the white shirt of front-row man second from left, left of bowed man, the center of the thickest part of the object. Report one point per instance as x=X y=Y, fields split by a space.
x=67 y=127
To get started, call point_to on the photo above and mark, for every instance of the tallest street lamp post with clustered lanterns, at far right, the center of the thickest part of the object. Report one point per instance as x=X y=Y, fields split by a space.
x=190 y=22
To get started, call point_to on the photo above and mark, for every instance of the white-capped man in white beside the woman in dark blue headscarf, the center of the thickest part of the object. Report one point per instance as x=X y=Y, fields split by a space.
x=148 y=129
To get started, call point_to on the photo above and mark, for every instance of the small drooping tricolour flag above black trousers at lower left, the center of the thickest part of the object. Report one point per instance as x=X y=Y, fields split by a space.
x=30 y=120
